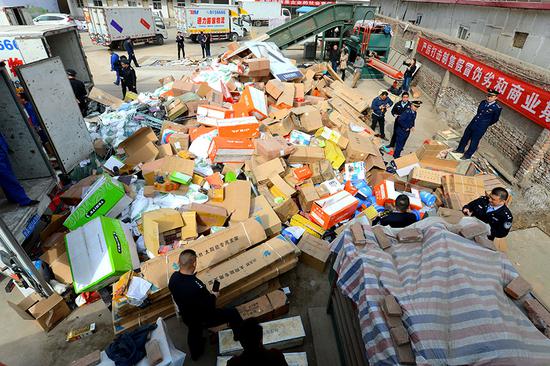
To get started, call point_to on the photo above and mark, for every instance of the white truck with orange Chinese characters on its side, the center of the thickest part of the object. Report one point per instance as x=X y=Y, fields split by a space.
x=222 y=22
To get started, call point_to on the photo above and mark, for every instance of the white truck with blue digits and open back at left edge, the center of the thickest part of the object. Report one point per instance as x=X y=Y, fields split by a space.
x=22 y=45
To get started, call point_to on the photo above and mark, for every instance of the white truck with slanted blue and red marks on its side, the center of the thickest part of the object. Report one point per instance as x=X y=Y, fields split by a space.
x=110 y=26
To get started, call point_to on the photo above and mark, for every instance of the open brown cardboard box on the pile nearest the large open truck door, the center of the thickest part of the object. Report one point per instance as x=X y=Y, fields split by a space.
x=140 y=147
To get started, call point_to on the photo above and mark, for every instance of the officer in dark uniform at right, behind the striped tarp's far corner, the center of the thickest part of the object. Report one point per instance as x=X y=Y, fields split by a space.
x=493 y=211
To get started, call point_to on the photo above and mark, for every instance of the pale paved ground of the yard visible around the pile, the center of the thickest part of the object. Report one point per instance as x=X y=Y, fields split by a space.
x=24 y=343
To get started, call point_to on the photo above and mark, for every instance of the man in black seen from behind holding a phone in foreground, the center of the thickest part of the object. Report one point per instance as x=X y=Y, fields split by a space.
x=196 y=305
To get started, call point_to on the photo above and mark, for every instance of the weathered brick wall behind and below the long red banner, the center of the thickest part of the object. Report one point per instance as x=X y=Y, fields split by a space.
x=515 y=137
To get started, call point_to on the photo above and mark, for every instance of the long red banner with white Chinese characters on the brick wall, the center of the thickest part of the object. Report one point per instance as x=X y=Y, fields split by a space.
x=524 y=98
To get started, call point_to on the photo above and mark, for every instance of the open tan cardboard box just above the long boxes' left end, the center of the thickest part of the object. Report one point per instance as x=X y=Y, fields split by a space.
x=166 y=225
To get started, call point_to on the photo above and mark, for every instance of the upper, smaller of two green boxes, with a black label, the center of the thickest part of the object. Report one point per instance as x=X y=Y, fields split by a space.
x=101 y=199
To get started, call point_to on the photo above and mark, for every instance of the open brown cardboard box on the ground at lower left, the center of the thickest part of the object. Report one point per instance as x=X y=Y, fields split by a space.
x=46 y=312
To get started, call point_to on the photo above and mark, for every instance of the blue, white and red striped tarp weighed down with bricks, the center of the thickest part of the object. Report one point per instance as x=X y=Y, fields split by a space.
x=451 y=293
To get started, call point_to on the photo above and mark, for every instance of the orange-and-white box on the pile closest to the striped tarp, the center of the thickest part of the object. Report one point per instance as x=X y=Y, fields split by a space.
x=334 y=209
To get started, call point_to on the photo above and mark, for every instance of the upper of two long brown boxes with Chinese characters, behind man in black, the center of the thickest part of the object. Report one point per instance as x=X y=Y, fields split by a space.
x=211 y=250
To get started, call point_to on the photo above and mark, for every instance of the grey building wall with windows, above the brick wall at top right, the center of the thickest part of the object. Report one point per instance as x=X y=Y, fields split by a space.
x=490 y=27
